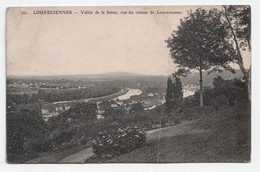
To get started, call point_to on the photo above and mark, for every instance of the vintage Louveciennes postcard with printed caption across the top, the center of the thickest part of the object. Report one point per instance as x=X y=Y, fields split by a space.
x=124 y=84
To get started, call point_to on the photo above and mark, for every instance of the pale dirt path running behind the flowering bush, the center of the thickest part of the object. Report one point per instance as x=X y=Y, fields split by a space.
x=182 y=128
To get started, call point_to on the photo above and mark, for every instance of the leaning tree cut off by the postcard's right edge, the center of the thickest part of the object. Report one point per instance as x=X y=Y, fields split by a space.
x=238 y=21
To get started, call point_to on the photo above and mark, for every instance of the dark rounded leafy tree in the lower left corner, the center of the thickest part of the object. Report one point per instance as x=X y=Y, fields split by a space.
x=24 y=130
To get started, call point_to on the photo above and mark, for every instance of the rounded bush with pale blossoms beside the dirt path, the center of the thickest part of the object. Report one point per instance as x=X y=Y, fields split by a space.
x=110 y=144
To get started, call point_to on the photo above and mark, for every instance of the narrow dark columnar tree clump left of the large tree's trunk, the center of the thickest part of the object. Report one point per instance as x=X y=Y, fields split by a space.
x=174 y=94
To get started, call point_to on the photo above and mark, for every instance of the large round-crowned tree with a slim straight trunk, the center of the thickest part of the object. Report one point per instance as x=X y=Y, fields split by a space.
x=200 y=43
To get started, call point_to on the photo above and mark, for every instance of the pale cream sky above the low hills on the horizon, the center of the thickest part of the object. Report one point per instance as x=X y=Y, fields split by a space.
x=90 y=43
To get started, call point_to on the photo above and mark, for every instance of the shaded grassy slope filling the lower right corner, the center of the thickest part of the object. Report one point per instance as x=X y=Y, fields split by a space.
x=225 y=138
